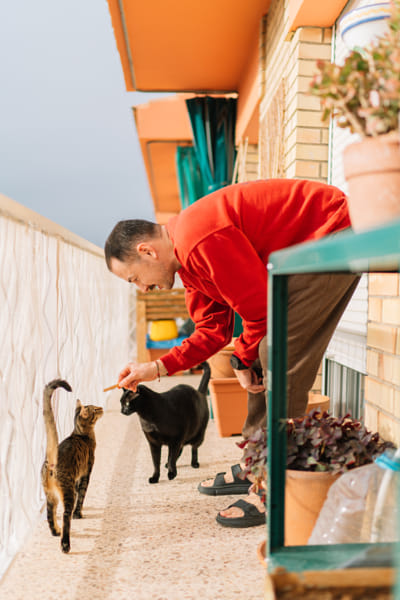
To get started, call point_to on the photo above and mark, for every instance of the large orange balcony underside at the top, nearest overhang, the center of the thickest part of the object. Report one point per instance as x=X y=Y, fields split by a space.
x=185 y=46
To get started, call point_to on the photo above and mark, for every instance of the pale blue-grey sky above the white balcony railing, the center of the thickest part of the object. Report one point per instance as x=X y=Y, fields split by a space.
x=68 y=143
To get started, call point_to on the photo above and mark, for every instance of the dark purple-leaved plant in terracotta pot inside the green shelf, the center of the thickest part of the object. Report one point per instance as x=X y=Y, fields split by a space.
x=319 y=448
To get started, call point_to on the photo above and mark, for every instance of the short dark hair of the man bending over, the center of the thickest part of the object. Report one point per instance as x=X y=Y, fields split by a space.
x=122 y=241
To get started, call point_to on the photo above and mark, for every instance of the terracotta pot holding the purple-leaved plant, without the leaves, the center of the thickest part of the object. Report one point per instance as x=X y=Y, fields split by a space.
x=305 y=493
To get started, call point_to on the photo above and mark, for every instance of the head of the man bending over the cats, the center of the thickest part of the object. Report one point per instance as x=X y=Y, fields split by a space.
x=141 y=252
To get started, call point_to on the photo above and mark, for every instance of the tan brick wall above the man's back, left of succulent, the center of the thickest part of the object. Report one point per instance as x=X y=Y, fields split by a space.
x=292 y=60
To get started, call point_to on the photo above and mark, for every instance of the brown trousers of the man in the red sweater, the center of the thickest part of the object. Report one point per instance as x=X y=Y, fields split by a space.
x=315 y=304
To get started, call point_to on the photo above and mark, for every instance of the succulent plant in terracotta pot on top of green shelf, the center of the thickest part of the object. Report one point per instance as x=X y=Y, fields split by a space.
x=363 y=95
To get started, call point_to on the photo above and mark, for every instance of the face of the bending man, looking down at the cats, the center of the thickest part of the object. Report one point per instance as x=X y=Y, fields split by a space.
x=147 y=272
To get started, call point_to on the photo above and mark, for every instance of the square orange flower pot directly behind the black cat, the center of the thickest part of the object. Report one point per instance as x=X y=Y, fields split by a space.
x=229 y=404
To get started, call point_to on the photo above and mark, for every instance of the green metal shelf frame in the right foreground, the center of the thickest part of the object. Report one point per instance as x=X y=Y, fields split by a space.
x=376 y=250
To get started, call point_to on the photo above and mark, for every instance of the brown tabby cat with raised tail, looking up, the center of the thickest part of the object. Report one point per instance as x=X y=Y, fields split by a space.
x=66 y=470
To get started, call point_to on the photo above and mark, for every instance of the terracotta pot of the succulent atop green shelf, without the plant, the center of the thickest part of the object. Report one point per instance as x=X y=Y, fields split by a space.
x=372 y=170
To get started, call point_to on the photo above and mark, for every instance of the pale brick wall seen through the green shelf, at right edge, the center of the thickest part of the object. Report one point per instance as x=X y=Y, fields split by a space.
x=382 y=386
